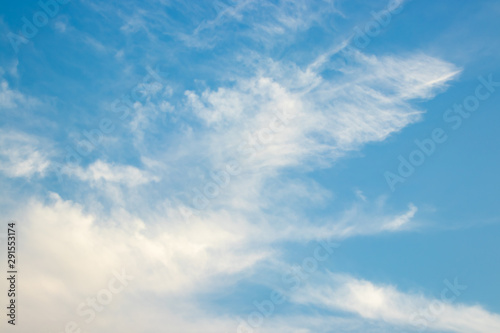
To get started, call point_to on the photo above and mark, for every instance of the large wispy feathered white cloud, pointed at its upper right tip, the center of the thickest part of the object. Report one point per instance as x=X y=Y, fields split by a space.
x=320 y=119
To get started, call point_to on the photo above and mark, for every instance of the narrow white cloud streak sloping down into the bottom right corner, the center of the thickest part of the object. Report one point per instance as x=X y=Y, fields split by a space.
x=387 y=304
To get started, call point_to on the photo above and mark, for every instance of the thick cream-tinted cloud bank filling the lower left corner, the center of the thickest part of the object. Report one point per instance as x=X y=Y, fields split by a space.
x=70 y=254
